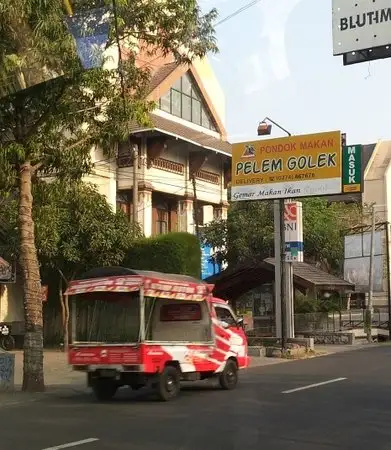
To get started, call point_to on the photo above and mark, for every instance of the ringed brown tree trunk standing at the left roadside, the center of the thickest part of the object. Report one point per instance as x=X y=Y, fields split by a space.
x=33 y=373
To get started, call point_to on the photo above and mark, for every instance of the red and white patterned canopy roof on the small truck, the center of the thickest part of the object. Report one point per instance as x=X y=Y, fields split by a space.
x=155 y=284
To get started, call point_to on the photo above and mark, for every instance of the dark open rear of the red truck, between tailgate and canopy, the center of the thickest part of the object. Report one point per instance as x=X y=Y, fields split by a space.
x=113 y=318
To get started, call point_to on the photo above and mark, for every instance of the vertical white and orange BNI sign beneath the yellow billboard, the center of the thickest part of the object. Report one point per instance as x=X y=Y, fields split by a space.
x=293 y=226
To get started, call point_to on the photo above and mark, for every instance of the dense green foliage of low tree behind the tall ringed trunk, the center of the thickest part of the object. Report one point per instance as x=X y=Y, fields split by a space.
x=75 y=227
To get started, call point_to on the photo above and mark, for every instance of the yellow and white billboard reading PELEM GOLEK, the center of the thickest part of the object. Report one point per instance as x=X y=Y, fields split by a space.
x=295 y=166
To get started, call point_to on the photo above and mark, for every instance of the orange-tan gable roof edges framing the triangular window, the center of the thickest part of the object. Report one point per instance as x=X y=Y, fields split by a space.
x=164 y=77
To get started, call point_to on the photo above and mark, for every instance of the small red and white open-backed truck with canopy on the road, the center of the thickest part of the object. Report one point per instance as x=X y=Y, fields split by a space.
x=136 y=328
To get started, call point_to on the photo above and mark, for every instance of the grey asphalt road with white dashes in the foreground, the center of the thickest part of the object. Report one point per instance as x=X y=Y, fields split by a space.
x=351 y=411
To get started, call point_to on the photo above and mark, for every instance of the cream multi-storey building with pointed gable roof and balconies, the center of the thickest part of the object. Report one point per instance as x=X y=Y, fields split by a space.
x=186 y=139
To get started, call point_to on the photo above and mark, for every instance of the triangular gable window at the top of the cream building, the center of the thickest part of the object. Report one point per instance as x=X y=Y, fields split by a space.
x=184 y=100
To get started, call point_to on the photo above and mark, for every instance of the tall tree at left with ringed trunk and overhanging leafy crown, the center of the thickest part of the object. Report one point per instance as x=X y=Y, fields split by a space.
x=52 y=110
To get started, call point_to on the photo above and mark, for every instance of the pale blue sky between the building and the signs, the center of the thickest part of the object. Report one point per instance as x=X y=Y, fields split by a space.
x=276 y=60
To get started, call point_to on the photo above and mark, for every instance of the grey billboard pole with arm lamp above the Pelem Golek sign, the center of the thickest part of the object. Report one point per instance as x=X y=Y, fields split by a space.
x=265 y=129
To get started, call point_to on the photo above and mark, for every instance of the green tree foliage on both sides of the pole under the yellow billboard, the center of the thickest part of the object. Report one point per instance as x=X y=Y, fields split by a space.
x=248 y=234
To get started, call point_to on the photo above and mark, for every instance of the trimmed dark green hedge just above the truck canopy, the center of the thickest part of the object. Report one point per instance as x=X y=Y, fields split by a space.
x=170 y=253
